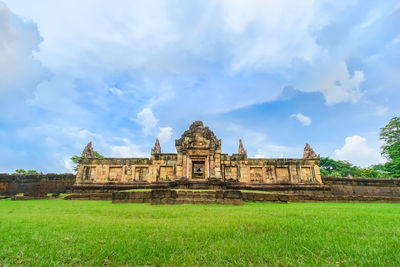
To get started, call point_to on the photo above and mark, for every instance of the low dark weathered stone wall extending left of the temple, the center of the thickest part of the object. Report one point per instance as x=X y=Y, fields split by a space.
x=35 y=184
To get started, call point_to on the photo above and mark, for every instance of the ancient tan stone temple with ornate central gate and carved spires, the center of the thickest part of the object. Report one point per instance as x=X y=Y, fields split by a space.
x=199 y=157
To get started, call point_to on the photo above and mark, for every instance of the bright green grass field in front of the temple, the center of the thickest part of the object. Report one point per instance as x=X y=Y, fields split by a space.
x=61 y=232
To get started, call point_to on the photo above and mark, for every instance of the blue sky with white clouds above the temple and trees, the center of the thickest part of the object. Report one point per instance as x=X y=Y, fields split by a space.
x=277 y=74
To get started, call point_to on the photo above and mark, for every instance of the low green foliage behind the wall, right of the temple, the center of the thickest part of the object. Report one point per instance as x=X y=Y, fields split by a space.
x=342 y=168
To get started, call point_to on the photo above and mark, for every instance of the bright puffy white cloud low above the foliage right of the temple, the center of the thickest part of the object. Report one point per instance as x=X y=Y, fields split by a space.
x=358 y=152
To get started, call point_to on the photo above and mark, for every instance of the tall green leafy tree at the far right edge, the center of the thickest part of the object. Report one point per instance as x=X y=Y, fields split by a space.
x=390 y=134
